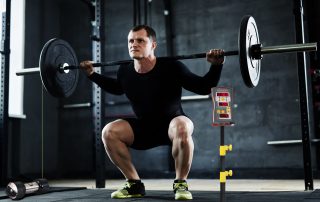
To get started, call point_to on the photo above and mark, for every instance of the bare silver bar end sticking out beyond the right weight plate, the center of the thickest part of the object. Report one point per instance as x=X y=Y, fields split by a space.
x=289 y=48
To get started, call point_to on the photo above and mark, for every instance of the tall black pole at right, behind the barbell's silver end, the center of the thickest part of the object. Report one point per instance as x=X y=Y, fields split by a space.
x=304 y=96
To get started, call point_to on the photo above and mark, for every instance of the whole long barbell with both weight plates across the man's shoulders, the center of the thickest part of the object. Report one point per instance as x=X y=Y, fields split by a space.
x=58 y=64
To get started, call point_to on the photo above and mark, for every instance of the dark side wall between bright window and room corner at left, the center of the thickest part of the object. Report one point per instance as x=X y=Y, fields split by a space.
x=39 y=131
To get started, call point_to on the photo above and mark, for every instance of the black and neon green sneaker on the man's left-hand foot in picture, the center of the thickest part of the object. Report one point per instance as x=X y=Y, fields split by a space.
x=131 y=189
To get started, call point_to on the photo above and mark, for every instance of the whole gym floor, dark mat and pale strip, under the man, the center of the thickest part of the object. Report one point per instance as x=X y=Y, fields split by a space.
x=202 y=189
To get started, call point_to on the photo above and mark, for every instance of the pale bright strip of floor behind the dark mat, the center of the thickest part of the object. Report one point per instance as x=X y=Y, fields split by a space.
x=198 y=184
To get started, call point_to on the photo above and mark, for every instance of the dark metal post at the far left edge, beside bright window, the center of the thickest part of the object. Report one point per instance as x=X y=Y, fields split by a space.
x=4 y=93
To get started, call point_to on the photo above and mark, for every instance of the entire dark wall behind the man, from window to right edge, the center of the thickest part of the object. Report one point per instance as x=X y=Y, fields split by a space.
x=266 y=113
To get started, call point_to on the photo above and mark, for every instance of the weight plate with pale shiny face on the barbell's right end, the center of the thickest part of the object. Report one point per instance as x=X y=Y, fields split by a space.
x=248 y=36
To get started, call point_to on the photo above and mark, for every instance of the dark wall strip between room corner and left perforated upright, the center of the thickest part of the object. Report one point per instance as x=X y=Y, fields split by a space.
x=75 y=125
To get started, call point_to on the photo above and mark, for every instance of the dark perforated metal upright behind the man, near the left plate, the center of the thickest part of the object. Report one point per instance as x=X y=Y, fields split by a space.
x=97 y=96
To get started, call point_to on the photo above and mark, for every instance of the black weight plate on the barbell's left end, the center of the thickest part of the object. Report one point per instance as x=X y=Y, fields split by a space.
x=55 y=53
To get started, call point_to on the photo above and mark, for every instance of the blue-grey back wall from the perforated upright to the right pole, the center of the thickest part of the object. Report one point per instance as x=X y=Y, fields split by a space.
x=266 y=113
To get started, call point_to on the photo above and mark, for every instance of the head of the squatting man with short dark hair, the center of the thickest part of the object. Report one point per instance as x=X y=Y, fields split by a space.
x=141 y=42
